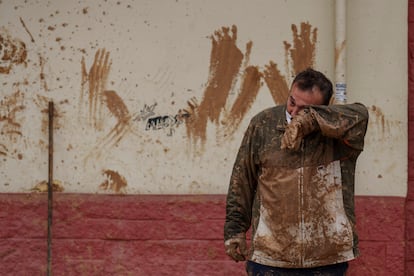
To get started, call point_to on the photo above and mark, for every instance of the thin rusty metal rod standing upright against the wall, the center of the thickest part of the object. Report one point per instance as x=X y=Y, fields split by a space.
x=50 y=192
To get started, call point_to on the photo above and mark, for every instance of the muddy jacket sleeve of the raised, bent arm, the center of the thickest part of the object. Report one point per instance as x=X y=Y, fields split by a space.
x=347 y=123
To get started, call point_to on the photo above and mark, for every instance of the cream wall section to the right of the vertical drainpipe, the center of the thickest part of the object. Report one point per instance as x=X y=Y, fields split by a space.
x=377 y=76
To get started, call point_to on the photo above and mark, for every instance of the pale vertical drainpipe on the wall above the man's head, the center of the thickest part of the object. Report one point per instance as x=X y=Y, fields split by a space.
x=340 y=52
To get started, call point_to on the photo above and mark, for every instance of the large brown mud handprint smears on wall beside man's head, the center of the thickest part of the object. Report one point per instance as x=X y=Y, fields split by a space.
x=225 y=67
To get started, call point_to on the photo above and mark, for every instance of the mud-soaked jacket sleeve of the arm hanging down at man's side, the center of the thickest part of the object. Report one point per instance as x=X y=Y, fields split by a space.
x=242 y=187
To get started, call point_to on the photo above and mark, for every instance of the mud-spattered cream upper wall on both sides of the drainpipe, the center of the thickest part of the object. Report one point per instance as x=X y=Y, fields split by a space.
x=159 y=54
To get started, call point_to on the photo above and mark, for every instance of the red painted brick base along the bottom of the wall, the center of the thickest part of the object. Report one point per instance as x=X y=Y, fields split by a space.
x=160 y=235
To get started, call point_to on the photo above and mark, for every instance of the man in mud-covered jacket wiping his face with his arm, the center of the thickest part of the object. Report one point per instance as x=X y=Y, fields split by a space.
x=293 y=184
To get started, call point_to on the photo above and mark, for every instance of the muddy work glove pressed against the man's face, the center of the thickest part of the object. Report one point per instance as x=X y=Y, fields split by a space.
x=300 y=126
